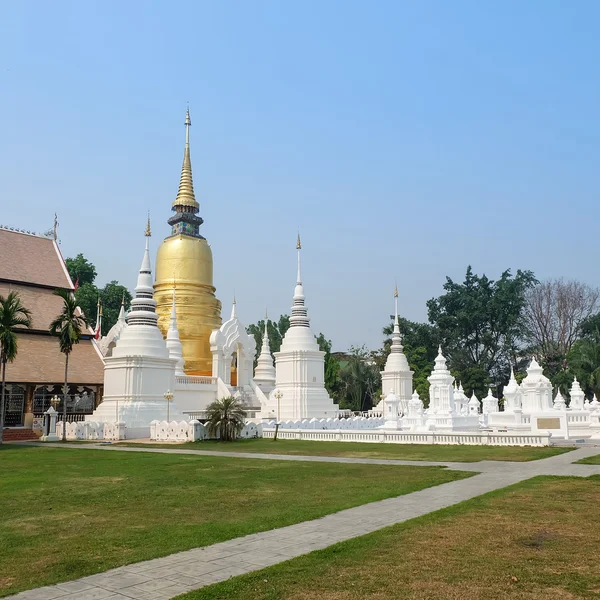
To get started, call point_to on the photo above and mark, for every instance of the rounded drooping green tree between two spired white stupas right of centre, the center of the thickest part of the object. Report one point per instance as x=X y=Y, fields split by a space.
x=360 y=381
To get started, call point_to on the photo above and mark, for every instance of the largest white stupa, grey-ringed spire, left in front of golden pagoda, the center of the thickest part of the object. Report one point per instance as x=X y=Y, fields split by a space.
x=140 y=369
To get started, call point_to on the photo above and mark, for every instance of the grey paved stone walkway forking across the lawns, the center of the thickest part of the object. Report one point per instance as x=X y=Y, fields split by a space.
x=167 y=577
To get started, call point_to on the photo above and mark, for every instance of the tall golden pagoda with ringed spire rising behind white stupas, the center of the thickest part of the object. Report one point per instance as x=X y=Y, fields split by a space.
x=184 y=263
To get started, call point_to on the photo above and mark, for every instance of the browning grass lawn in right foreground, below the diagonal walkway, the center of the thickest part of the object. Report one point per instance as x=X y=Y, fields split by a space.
x=537 y=540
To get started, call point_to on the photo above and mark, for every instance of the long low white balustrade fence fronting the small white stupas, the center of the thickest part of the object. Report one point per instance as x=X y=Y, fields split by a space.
x=483 y=438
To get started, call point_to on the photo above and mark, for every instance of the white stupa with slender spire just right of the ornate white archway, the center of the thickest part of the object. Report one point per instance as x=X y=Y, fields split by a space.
x=299 y=369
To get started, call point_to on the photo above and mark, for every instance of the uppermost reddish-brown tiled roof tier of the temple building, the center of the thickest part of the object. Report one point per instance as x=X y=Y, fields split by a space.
x=32 y=259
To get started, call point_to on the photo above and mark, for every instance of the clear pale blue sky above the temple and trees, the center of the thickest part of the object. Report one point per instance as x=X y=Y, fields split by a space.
x=406 y=140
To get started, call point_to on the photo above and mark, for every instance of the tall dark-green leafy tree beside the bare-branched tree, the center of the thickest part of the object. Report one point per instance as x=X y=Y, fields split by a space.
x=481 y=326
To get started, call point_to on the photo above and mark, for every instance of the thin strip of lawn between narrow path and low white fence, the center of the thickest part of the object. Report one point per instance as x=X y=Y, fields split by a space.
x=361 y=450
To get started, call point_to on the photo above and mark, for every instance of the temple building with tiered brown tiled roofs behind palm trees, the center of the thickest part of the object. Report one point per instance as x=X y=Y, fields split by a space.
x=32 y=266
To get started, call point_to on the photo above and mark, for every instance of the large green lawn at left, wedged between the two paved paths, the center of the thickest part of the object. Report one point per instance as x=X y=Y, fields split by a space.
x=67 y=512
